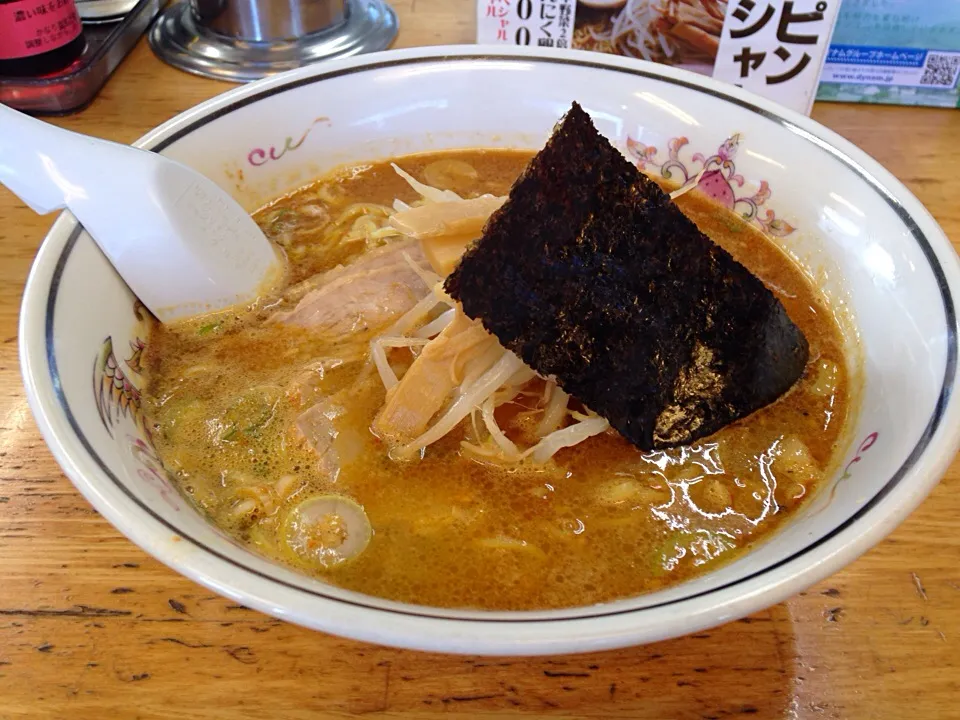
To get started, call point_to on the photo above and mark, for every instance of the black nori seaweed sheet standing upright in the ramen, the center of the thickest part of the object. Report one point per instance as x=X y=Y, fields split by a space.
x=593 y=276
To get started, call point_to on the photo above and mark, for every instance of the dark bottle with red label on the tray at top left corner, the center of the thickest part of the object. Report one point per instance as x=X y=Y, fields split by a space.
x=38 y=36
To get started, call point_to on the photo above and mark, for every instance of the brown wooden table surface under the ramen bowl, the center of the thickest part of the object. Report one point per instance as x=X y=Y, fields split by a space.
x=91 y=627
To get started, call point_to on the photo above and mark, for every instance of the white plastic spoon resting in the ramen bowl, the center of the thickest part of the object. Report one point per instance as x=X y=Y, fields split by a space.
x=181 y=243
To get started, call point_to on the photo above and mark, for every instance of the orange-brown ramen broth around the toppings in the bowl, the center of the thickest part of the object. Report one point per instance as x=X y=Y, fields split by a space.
x=599 y=521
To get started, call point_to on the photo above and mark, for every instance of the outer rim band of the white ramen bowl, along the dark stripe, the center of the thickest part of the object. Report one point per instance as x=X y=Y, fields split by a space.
x=583 y=631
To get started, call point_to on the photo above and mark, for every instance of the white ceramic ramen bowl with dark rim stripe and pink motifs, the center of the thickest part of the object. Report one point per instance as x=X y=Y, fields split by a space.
x=879 y=254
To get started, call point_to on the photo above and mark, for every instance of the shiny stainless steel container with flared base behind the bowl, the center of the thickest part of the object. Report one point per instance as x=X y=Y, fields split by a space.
x=242 y=40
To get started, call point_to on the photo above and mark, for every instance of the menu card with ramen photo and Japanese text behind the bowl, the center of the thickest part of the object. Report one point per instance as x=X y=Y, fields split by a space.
x=774 y=48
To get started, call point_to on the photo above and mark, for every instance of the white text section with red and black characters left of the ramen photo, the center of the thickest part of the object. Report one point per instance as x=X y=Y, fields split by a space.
x=543 y=23
